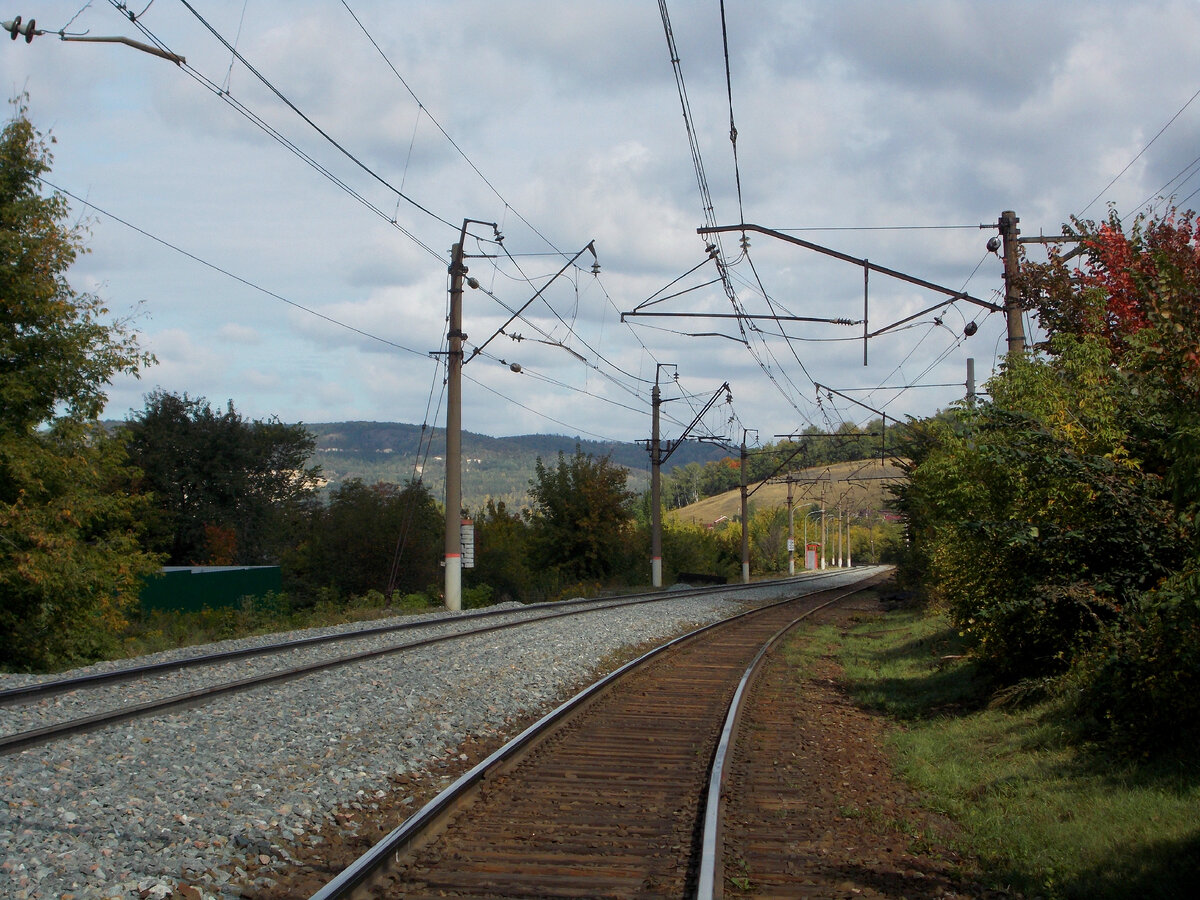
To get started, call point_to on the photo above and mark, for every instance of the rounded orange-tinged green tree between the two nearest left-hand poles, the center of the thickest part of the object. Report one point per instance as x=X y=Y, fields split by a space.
x=581 y=511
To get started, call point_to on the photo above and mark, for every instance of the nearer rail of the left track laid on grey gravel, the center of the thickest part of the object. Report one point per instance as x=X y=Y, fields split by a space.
x=35 y=737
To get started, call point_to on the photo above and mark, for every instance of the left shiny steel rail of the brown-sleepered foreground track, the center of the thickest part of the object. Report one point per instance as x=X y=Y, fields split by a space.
x=361 y=874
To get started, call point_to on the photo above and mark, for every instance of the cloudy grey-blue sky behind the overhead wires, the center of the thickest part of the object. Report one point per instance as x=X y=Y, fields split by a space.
x=850 y=116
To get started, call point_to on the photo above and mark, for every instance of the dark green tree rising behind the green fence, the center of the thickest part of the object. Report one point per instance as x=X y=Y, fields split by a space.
x=224 y=487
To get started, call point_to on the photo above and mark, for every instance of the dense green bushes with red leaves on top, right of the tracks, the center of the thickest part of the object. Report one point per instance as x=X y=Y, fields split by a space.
x=1058 y=521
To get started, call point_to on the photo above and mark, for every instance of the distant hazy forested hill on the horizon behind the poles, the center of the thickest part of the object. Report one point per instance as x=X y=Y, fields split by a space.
x=499 y=469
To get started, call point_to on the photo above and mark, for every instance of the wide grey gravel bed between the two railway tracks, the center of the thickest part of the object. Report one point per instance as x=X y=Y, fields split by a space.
x=135 y=809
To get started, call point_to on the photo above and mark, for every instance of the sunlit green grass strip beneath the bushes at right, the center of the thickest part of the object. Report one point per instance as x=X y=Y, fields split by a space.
x=1043 y=813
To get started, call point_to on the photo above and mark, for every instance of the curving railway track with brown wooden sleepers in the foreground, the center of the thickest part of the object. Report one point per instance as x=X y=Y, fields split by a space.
x=608 y=796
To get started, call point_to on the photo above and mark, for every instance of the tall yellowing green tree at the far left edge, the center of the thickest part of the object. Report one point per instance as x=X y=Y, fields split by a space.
x=70 y=560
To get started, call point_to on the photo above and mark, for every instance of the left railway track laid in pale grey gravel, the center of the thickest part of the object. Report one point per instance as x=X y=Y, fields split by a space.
x=56 y=705
